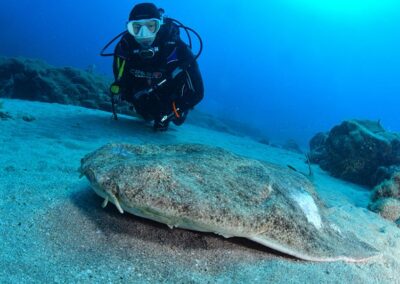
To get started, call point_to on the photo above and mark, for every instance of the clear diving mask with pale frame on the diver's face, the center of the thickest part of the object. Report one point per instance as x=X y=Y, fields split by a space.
x=144 y=31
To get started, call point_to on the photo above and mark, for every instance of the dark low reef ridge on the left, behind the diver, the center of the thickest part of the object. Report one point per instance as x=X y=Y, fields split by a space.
x=31 y=79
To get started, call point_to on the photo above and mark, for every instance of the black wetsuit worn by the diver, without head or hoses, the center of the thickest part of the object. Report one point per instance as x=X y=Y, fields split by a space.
x=173 y=61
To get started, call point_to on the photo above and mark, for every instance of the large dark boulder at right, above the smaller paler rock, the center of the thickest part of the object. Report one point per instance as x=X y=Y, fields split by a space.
x=355 y=150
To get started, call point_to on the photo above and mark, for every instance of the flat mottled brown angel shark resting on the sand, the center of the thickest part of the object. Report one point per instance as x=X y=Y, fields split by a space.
x=209 y=189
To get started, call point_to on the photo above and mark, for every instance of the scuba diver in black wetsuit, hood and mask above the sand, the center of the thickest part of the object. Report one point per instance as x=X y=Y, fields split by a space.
x=154 y=69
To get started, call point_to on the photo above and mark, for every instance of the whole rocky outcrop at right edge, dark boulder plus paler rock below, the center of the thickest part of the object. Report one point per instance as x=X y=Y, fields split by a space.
x=363 y=152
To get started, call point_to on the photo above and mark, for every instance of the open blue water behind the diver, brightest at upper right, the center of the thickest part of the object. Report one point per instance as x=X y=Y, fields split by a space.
x=292 y=68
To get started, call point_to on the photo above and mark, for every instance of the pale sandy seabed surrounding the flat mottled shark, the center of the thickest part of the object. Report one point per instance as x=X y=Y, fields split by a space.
x=53 y=229
